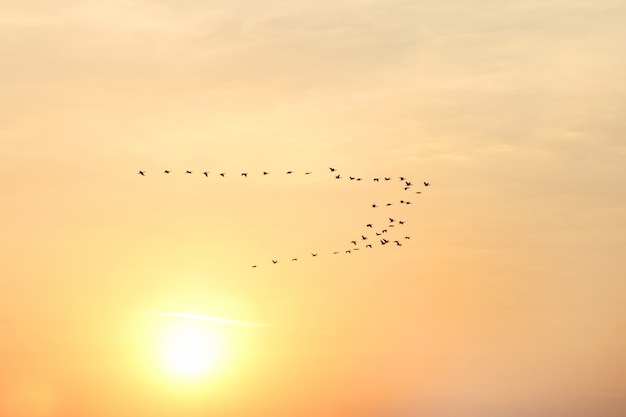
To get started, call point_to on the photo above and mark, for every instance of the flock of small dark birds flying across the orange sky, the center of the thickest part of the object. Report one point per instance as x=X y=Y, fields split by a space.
x=382 y=233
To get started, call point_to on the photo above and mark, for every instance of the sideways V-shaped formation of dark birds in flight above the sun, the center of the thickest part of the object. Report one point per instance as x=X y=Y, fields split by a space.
x=378 y=235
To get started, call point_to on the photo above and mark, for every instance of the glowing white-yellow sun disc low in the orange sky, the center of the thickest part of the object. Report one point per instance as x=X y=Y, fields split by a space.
x=189 y=351
